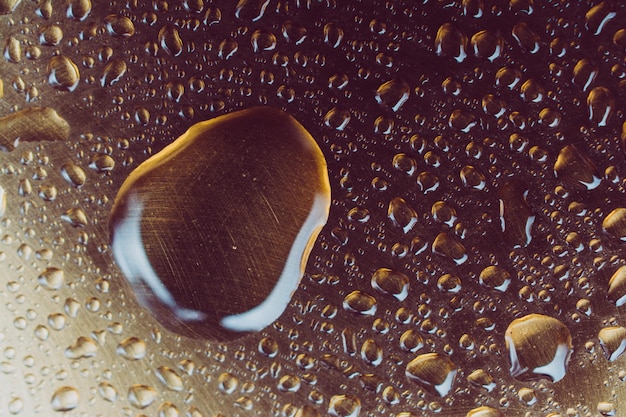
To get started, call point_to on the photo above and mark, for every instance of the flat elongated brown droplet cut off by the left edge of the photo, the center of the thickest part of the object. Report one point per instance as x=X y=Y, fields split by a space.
x=30 y=125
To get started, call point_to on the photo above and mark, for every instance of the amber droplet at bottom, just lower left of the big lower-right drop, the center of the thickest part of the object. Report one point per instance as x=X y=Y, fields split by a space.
x=433 y=371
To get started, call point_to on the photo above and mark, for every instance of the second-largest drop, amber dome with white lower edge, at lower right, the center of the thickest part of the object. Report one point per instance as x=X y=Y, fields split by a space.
x=539 y=347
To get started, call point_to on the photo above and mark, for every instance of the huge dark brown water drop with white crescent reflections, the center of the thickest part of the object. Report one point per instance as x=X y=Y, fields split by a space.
x=214 y=231
